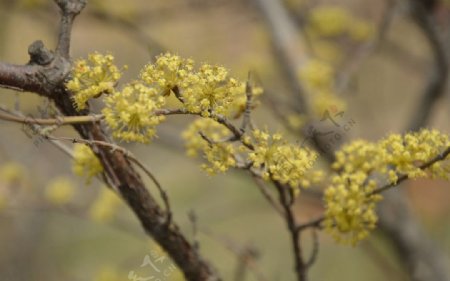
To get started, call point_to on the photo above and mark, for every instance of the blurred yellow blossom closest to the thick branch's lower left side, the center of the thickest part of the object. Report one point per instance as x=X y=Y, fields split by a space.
x=105 y=206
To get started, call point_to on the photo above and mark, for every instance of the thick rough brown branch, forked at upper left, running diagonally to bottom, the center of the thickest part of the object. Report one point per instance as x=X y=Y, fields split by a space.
x=48 y=80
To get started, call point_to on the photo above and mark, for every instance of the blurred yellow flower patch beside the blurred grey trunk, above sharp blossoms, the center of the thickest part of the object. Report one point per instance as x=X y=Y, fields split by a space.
x=318 y=78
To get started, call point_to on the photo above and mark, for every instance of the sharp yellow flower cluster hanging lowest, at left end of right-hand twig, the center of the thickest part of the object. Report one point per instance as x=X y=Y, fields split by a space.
x=350 y=208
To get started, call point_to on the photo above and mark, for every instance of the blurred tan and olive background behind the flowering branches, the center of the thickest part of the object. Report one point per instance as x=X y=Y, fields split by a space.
x=382 y=62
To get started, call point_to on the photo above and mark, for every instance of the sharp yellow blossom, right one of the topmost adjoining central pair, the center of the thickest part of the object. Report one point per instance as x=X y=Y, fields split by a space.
x=212 y=90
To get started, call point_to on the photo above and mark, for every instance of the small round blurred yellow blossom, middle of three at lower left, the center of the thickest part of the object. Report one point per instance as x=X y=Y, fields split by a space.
x=60 y=191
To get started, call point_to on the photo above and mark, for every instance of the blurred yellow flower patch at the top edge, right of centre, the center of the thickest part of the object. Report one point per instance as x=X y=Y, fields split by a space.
x=331 y=21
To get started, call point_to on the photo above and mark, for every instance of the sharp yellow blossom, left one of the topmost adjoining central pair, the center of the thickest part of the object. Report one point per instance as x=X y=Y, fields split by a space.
x=168 y=72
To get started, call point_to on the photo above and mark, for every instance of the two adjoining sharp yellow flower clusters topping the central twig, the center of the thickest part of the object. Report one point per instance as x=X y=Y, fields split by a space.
x=203 y=90
